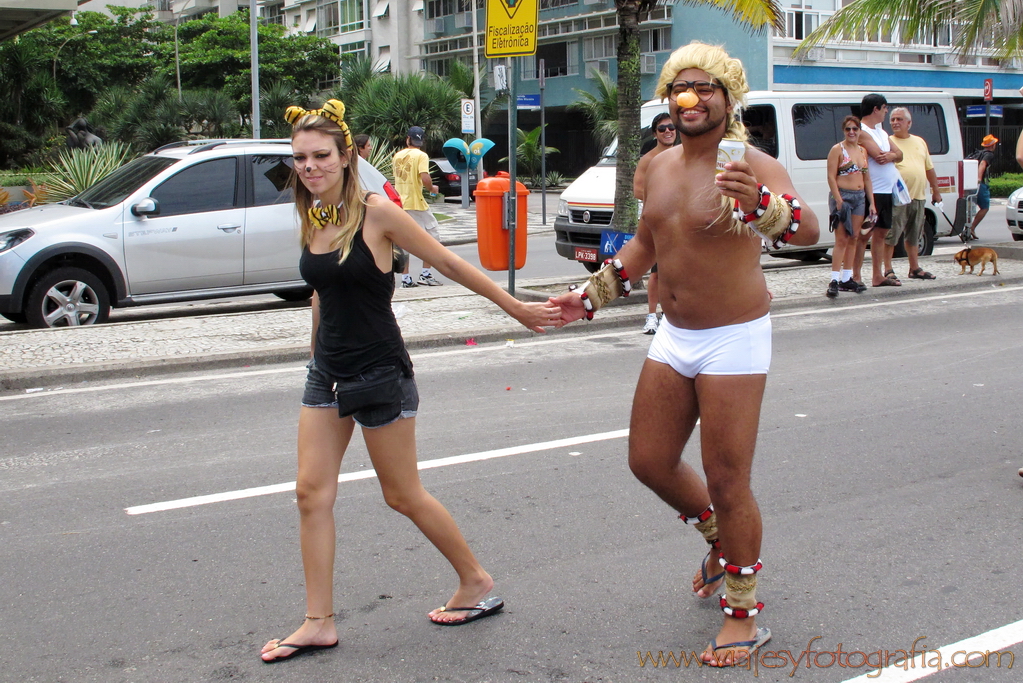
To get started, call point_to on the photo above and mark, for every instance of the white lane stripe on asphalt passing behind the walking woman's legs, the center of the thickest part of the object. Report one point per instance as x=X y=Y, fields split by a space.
x=352 y=477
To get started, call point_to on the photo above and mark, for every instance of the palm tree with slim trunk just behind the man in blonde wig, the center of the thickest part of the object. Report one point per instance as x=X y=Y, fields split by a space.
x=757 y=14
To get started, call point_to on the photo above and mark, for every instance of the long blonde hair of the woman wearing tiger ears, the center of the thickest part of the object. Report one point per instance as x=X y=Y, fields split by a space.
x=353 y=200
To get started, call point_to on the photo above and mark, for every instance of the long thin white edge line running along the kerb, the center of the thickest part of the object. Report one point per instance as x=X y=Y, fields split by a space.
x=475 y=350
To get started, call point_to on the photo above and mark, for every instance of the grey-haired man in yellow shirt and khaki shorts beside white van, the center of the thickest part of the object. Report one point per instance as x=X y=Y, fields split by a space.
x=918 y=172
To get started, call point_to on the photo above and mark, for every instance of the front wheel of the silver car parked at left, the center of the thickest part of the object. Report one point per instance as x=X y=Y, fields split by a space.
x=68 y=298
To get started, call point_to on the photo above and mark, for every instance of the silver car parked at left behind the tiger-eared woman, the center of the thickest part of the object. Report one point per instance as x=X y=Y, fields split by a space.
x=194 y=220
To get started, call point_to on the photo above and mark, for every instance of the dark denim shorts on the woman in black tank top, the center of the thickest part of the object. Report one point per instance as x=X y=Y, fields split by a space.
x=320 y=393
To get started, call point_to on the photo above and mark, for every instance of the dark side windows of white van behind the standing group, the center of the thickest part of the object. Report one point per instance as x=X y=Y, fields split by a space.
x=819 y=127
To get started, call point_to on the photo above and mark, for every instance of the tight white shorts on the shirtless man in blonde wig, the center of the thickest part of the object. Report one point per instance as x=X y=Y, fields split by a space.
x=742 y=349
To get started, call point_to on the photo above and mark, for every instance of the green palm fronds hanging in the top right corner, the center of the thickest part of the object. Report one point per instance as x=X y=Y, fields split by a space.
x=995 y=24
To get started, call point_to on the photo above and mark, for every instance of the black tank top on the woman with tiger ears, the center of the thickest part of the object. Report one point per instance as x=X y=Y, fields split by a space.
x=358 y=330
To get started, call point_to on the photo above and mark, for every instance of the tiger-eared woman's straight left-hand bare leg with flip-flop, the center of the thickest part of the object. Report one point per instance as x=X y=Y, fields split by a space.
x=323 y=440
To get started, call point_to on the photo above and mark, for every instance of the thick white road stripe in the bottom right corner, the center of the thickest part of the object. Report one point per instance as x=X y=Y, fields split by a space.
x=980 y=647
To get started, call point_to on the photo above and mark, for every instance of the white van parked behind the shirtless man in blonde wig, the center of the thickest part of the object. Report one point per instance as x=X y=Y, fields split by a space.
x=799 y=129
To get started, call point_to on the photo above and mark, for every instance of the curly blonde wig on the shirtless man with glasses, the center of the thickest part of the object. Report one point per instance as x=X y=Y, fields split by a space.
x=727 y=71
